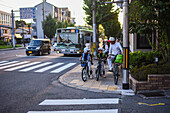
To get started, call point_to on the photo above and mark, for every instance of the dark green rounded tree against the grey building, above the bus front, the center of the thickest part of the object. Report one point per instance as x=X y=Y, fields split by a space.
x=50 y=26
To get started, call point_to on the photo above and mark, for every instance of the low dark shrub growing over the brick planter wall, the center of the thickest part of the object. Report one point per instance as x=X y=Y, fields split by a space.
x=141 y=73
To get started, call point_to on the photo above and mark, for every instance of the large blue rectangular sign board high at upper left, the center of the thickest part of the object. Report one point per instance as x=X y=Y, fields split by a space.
x=28 y=13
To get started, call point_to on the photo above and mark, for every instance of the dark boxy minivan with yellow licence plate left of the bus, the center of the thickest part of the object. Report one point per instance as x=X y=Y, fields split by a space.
x=38 y=46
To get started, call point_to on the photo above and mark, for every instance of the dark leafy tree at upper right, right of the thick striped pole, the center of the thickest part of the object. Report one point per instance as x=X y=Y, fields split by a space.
x=152 y=16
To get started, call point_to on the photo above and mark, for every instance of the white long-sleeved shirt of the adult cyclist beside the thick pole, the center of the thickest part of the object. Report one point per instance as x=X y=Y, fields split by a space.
x=115 y=48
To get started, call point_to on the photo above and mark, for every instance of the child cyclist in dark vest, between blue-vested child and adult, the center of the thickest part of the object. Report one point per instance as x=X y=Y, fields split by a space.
x=102 y=58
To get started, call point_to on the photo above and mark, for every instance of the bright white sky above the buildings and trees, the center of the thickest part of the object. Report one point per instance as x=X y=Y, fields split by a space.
x=75 y=6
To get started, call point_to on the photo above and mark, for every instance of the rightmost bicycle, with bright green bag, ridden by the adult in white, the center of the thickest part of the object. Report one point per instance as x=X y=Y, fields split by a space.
x=116 y=68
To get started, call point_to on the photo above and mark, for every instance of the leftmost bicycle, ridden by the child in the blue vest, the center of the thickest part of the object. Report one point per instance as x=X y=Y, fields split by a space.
x=85 y=70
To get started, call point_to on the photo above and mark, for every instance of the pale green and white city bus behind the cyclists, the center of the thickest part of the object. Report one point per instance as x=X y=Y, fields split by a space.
x=71 y=40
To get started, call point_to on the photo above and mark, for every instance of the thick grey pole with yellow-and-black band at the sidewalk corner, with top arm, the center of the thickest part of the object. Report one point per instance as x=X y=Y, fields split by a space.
x=125 y=40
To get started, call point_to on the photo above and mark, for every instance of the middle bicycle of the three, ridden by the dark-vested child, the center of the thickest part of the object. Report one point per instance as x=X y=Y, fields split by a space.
x=99 y=70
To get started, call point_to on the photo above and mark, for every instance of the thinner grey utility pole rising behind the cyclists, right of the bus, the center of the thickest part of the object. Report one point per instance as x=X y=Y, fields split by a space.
x=94 y=28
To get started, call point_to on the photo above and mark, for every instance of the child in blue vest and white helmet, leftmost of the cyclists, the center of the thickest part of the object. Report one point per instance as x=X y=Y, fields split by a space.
x=87 y=57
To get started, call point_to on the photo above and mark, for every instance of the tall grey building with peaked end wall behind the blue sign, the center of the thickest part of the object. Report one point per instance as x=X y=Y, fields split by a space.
x=60 y=14
